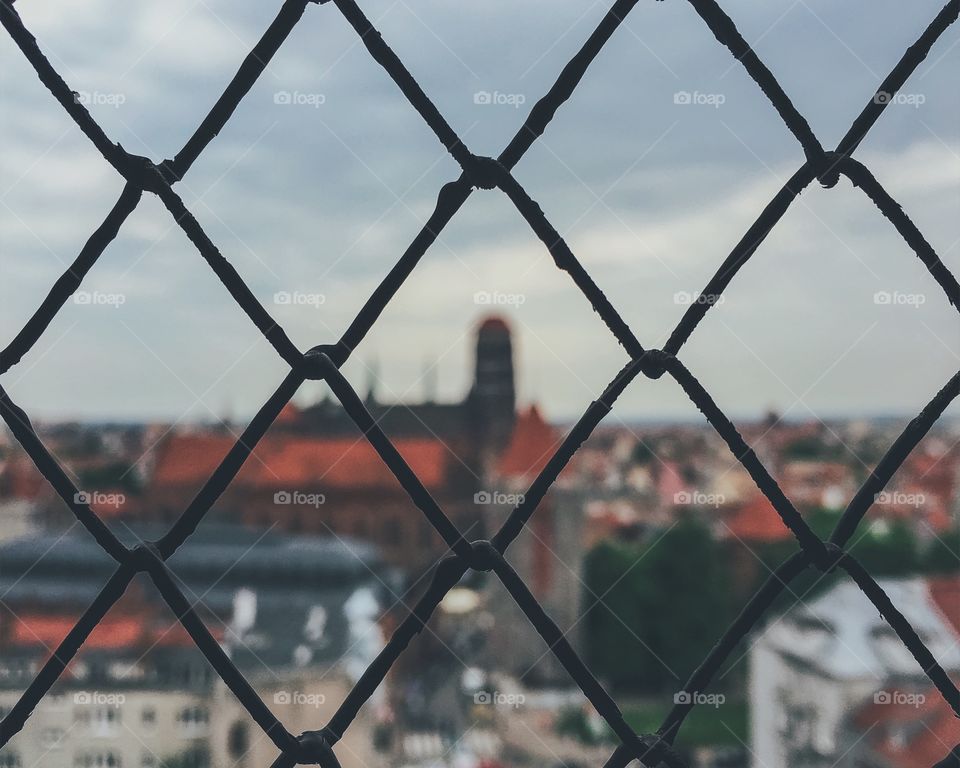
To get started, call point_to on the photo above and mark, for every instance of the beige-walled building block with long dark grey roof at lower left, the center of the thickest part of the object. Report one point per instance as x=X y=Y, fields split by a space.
x=300 y=617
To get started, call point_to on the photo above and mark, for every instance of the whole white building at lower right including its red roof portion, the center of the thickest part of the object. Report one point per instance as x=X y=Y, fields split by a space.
x=830 y=680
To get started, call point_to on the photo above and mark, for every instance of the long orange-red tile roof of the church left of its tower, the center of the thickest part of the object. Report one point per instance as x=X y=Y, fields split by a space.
x=292 y=461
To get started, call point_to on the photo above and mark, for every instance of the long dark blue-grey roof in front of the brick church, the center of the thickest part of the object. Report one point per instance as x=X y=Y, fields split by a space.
x=302 y=587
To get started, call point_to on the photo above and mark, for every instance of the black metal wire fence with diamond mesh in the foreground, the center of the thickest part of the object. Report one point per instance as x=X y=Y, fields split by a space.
x=323 y=362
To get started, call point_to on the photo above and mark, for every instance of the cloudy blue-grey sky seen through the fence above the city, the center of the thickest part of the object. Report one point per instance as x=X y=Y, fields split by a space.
x=322 y=195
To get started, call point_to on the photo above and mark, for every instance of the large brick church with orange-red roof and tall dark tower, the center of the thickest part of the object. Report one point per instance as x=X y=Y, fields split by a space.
x=315 y=473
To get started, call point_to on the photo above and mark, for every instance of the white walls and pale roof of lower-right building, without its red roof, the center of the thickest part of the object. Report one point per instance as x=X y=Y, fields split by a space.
x=820 y=662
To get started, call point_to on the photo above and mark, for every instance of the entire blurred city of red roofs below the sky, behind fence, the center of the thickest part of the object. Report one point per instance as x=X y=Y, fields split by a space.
x=643 y=552
